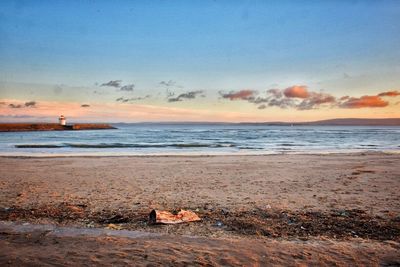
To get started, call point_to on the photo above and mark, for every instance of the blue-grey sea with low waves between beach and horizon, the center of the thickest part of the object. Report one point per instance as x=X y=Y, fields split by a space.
x=202 y=139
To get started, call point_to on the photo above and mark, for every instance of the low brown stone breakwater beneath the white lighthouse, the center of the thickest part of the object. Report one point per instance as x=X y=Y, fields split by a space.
x=23 y=127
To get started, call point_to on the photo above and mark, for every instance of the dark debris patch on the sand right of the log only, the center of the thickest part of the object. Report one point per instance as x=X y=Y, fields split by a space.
x=335 y=224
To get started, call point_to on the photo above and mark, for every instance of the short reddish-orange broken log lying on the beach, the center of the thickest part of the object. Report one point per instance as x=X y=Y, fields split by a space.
x=165 y=217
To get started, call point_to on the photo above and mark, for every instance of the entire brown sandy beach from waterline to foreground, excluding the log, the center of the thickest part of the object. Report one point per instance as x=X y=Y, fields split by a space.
x=278 y=209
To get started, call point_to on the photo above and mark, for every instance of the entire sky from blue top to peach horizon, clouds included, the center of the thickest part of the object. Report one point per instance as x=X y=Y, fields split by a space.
x=233 y=61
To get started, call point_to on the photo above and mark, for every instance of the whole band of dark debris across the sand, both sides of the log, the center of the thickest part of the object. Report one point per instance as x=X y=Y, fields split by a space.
x=337 y=224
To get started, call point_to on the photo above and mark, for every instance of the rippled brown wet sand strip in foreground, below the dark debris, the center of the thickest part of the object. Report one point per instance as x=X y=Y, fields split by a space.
x=50 y=246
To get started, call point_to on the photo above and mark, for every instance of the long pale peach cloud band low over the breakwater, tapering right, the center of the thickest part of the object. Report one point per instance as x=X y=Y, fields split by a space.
x=115 y=112
